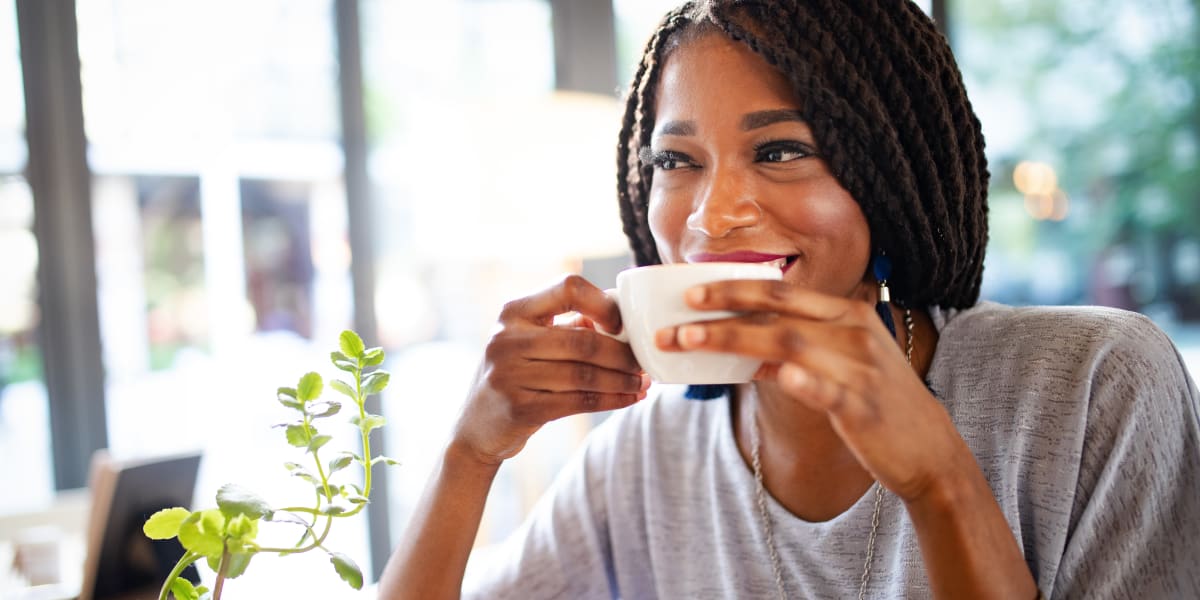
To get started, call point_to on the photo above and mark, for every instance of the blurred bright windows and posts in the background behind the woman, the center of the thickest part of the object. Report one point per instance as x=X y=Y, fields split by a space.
x=248 y=179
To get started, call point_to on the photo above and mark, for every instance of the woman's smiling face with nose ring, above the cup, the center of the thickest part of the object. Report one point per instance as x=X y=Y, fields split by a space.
x=737 y=176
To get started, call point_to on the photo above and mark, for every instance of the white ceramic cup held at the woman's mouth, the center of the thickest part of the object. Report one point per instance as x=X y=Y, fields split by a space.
x=651 y=298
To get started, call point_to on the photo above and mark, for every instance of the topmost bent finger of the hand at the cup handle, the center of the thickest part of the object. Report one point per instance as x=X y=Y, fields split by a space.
x=574 y=293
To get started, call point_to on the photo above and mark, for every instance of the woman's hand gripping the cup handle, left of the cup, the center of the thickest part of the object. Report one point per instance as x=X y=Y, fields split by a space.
x=536 y=371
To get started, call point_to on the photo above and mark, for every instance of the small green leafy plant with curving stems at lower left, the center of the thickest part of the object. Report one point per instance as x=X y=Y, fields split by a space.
x=226 y=536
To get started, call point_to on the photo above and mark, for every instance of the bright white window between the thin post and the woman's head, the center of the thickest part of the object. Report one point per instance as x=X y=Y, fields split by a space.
x=475 y=157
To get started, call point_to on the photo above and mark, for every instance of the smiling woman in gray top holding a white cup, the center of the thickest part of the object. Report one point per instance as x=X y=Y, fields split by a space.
x=949 y=449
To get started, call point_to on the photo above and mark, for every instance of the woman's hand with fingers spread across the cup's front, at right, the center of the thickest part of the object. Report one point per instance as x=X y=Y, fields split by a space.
x=835 y=356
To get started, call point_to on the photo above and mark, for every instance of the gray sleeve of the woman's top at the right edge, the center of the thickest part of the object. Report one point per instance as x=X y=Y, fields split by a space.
x=1136 y=518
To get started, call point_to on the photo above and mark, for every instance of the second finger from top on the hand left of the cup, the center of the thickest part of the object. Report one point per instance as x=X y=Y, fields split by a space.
x=573 y=345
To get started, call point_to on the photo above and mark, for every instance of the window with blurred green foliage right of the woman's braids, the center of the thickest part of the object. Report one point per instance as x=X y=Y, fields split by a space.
x=1093 y=142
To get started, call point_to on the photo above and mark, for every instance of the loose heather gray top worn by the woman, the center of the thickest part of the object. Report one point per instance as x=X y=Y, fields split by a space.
x=1084 y=422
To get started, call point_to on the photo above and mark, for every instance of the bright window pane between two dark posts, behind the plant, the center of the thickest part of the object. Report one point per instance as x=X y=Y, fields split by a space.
x=223 y=255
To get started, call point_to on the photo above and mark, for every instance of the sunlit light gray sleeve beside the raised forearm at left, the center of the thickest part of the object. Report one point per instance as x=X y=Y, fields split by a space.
x=562 y=551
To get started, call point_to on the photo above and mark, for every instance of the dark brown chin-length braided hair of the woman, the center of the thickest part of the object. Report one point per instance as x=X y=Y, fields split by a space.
x=887 y=106
